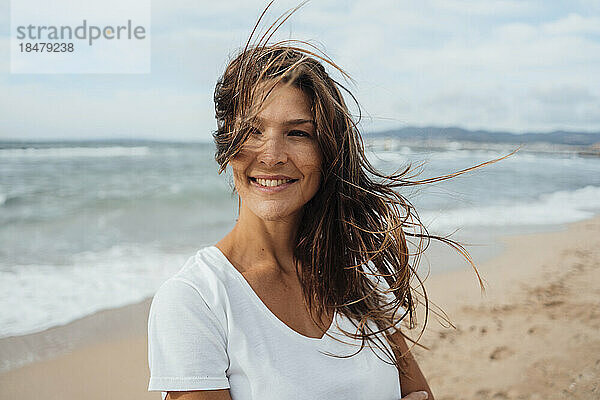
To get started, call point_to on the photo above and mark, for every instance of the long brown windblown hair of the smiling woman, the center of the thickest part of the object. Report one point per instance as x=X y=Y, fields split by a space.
x=358 y=217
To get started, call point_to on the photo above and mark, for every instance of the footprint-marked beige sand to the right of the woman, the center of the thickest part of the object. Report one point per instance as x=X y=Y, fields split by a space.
x=535 y=334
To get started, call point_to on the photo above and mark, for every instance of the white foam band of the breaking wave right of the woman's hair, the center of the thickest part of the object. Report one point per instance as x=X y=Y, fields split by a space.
x=553 y=208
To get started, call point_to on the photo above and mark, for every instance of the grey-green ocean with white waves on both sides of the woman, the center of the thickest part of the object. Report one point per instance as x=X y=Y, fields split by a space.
x=88 y=226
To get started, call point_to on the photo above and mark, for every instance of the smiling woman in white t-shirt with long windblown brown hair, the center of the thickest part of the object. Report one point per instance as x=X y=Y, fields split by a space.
x=303 y=298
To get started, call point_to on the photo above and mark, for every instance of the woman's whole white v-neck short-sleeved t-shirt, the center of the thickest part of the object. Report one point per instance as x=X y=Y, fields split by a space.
x=208 y=329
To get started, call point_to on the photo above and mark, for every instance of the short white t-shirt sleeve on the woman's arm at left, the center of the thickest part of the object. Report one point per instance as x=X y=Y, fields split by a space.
x=187 y=344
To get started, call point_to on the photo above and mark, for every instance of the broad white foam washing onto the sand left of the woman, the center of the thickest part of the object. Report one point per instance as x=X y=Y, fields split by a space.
x=37 y=297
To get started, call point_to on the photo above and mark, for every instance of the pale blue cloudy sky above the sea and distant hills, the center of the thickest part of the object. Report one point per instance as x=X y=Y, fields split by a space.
x=501 y=65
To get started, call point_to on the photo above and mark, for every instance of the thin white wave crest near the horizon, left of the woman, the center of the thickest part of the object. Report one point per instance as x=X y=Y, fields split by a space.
x=71 y=152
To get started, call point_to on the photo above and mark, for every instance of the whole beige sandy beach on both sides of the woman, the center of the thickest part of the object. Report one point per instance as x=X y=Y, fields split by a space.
x=534 y=335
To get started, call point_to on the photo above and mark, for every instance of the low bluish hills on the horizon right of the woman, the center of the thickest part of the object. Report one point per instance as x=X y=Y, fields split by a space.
x=459 y=134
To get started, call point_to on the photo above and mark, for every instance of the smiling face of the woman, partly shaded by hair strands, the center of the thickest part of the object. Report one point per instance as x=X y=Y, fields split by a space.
x=278 y=169
